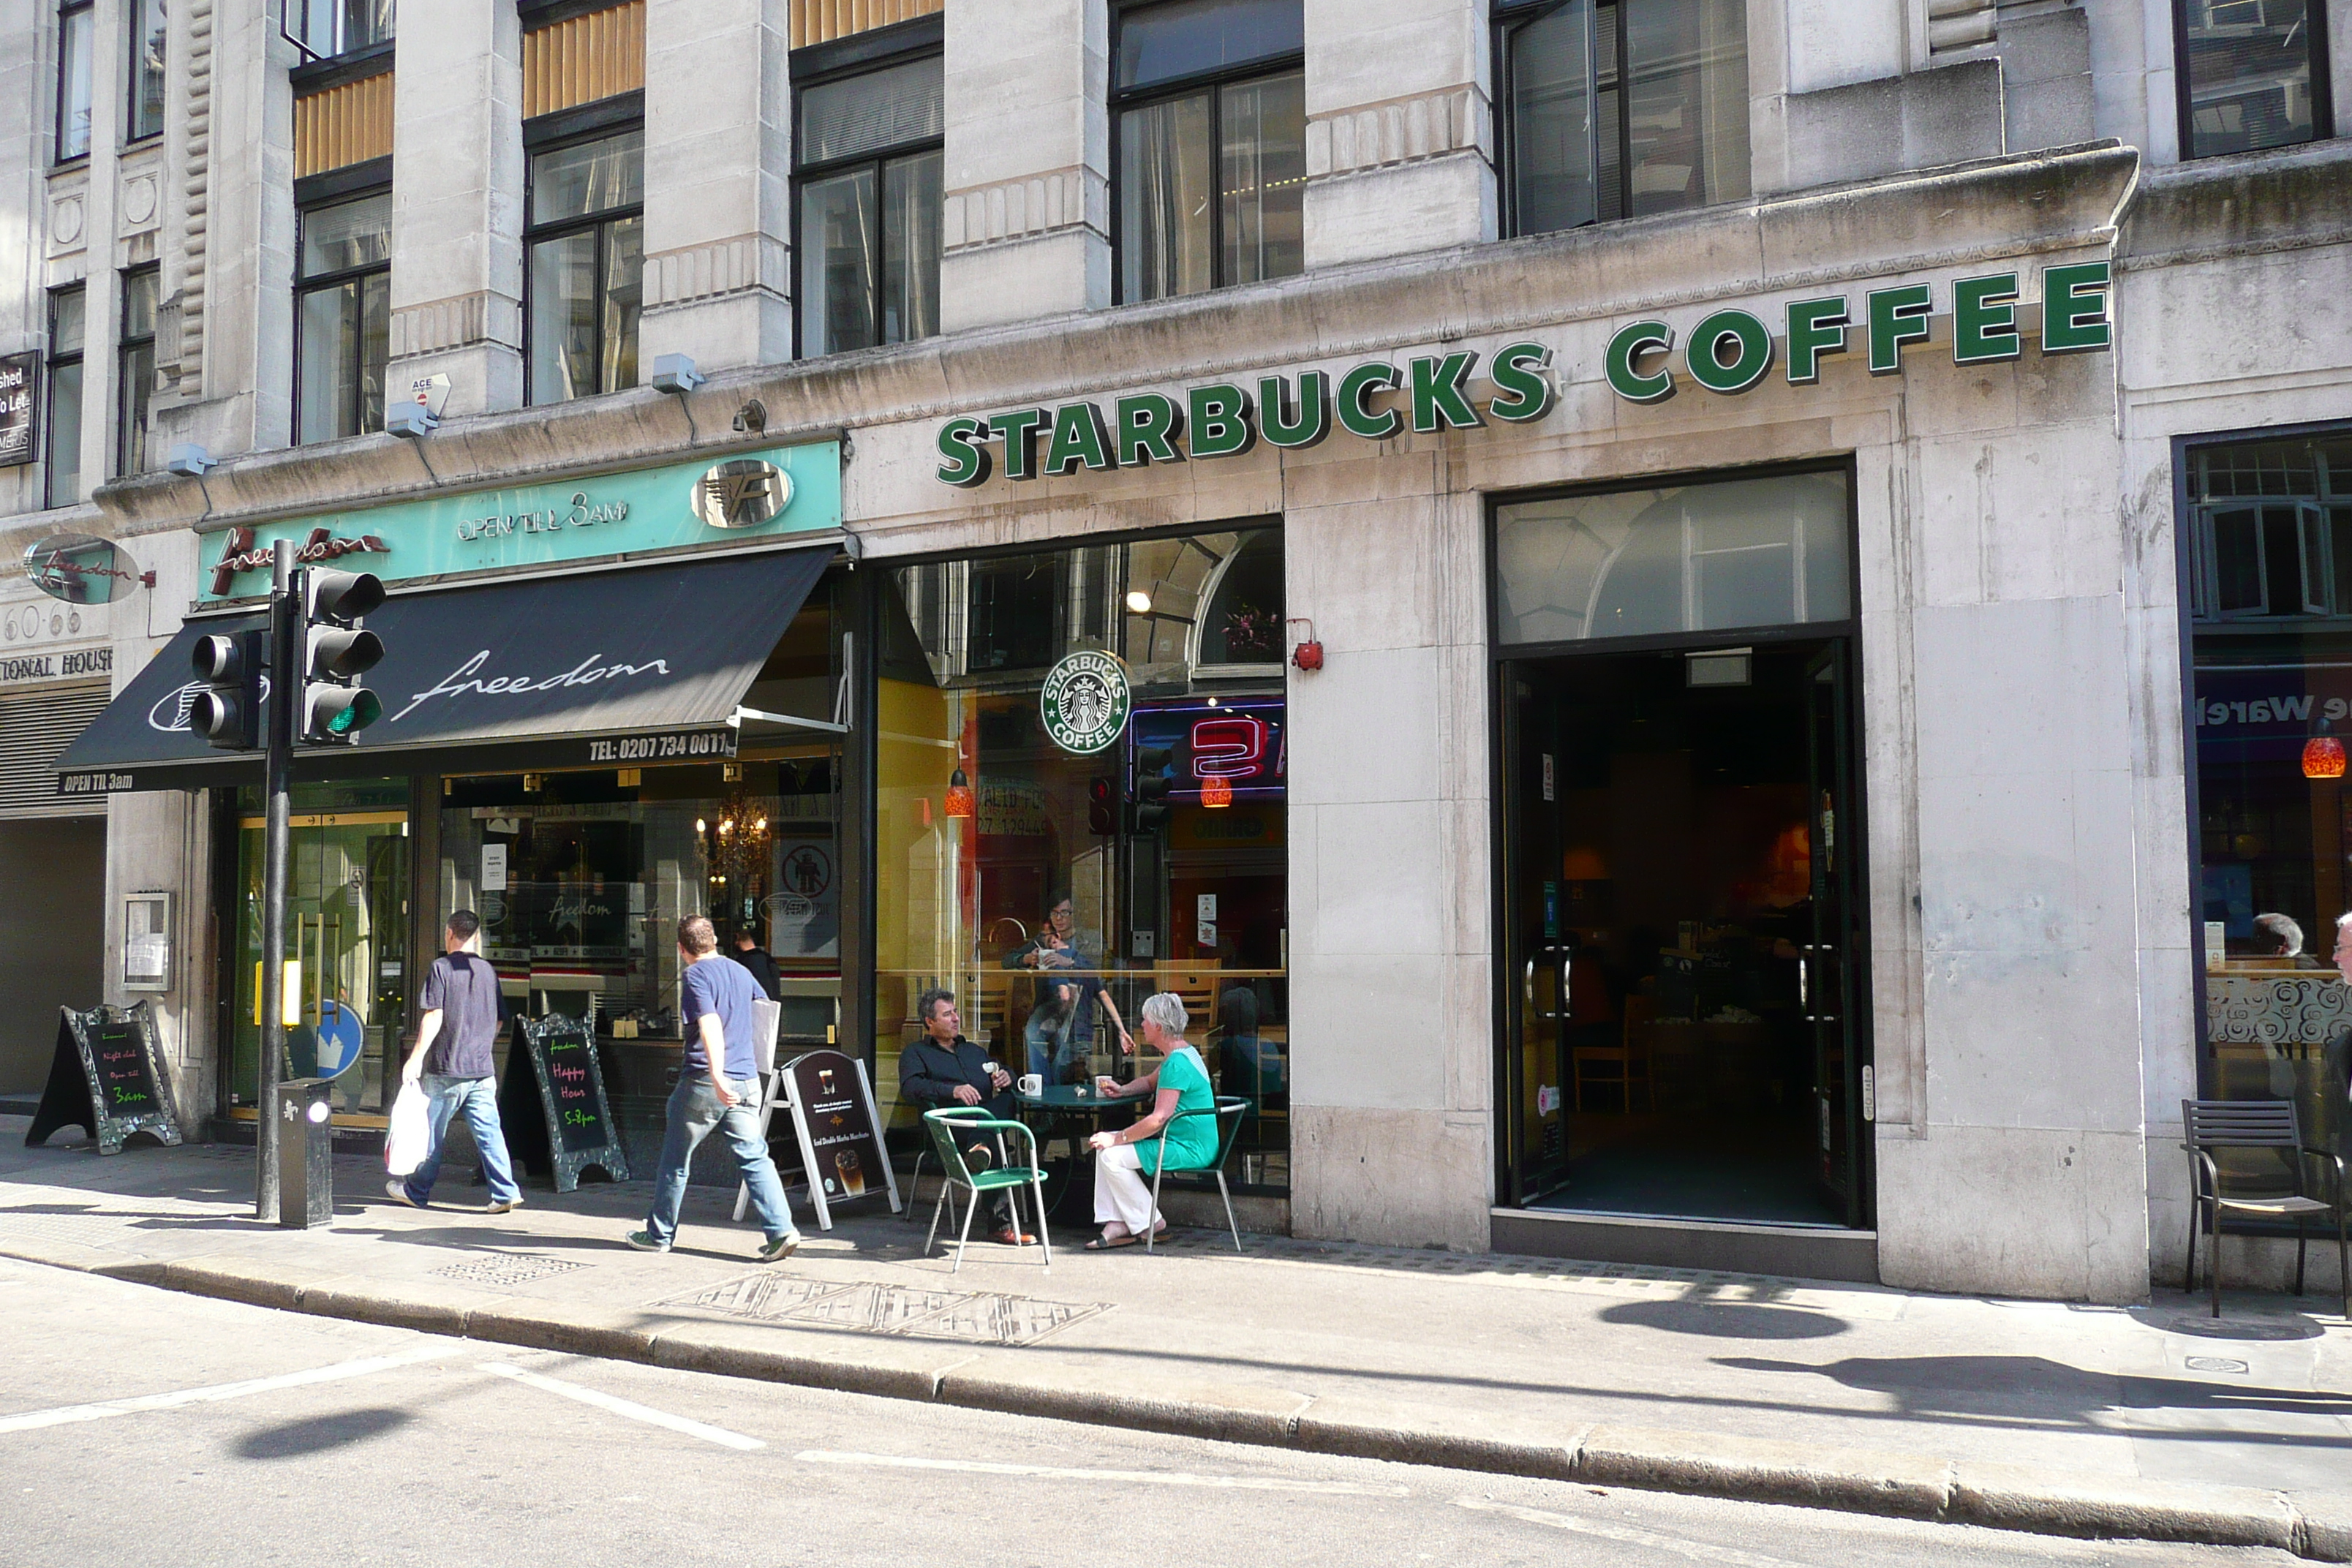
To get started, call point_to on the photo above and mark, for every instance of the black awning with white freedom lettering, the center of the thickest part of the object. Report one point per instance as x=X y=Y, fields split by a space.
x=615 y=669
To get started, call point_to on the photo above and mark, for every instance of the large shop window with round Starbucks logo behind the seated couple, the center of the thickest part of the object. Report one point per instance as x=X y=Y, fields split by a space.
x=1123 y=838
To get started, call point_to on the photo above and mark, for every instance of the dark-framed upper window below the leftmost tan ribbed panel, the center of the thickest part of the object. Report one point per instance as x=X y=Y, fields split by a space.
x=342 y=319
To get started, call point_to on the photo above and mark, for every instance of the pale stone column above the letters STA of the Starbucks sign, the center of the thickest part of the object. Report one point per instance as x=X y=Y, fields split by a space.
x=1029 y=163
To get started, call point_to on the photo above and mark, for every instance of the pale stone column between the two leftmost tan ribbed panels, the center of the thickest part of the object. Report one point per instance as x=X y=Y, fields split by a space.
x=457 y=229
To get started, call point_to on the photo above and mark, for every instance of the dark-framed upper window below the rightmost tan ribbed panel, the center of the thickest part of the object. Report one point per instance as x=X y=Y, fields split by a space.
x=869 y=208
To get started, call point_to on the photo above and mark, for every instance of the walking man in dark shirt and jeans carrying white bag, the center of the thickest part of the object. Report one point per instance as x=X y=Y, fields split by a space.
x=453 y=1064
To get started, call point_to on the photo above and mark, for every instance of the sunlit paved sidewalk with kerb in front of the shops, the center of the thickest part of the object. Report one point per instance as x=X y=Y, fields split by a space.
x=2031 y=1416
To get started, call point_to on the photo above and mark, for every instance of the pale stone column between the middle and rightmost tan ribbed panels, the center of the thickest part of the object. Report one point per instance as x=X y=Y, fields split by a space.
x=719 y=182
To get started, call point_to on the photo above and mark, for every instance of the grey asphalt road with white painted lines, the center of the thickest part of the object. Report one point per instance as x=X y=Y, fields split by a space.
x=152 y=1428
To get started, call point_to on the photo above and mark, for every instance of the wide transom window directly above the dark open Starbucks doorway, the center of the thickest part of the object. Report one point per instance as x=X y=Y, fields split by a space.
x=1690 y=558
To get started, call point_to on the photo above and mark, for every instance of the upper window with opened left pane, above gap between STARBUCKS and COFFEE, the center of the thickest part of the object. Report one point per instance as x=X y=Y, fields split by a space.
x=1622 y=109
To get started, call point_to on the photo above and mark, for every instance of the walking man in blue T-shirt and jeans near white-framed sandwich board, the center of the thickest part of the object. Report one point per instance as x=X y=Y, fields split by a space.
x=716 y=1090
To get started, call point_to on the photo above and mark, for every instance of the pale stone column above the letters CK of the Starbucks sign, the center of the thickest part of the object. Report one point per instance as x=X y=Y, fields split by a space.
x=1401 y=128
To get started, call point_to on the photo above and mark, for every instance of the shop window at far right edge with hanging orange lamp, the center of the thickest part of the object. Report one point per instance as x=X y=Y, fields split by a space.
x=2271 y=634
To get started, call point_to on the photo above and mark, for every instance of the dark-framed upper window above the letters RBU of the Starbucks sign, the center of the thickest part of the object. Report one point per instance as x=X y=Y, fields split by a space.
x=1212 y=161
